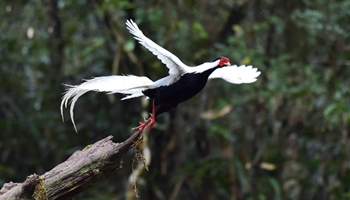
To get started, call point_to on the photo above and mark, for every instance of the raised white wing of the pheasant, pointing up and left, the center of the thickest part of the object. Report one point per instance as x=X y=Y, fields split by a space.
x=170 y=60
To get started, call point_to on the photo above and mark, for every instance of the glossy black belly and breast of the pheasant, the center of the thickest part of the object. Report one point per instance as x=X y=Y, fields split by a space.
x=168 y=97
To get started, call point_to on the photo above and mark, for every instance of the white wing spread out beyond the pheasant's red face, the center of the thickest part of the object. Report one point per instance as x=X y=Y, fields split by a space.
x=236 y=74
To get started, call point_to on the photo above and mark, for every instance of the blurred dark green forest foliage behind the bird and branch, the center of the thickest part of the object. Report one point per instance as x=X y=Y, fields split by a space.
x=284 y=137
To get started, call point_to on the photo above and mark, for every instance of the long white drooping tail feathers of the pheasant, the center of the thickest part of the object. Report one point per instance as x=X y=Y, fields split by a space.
x=129 y=85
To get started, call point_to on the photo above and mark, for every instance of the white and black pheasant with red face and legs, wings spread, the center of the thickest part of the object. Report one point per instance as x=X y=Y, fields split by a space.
x=182 y=83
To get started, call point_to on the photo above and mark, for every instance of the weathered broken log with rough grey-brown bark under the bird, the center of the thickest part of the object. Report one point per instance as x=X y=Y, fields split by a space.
x=81 y=169
